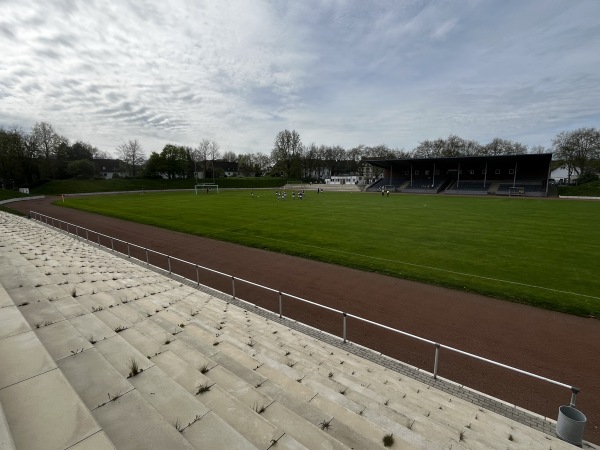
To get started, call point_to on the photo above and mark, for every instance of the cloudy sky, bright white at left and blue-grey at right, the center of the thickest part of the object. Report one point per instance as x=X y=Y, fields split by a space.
x=339 y=72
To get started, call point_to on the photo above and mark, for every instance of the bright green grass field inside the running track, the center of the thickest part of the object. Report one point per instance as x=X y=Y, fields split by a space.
x=537 y=251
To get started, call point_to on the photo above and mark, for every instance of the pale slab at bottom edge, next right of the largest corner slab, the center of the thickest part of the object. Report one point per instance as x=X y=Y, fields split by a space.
x=131 y=423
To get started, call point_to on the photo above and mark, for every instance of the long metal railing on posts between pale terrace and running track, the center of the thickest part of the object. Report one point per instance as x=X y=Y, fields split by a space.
x=145 y=253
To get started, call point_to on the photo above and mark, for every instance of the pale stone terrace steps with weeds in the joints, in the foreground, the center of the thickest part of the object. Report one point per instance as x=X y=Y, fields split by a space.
x=99 y=353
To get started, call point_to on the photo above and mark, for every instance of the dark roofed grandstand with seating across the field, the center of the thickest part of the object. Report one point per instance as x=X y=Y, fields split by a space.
x=477 y=175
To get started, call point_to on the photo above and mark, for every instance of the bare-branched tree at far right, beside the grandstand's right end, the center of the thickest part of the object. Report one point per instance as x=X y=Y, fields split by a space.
x=578 y=149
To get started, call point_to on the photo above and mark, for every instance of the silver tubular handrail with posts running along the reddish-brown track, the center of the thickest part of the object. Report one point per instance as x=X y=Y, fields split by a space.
x=38 y=216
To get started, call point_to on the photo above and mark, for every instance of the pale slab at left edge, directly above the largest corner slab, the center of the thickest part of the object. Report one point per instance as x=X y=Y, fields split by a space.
x=23 y=357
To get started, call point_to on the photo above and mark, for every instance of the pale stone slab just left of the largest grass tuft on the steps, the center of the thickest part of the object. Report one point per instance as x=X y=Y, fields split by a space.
x=94 y=378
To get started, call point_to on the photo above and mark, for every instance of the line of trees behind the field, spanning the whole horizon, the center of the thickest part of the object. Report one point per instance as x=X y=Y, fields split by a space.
x=31 y=158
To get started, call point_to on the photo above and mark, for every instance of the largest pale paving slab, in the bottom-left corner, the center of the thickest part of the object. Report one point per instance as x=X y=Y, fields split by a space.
x=45 y=412
